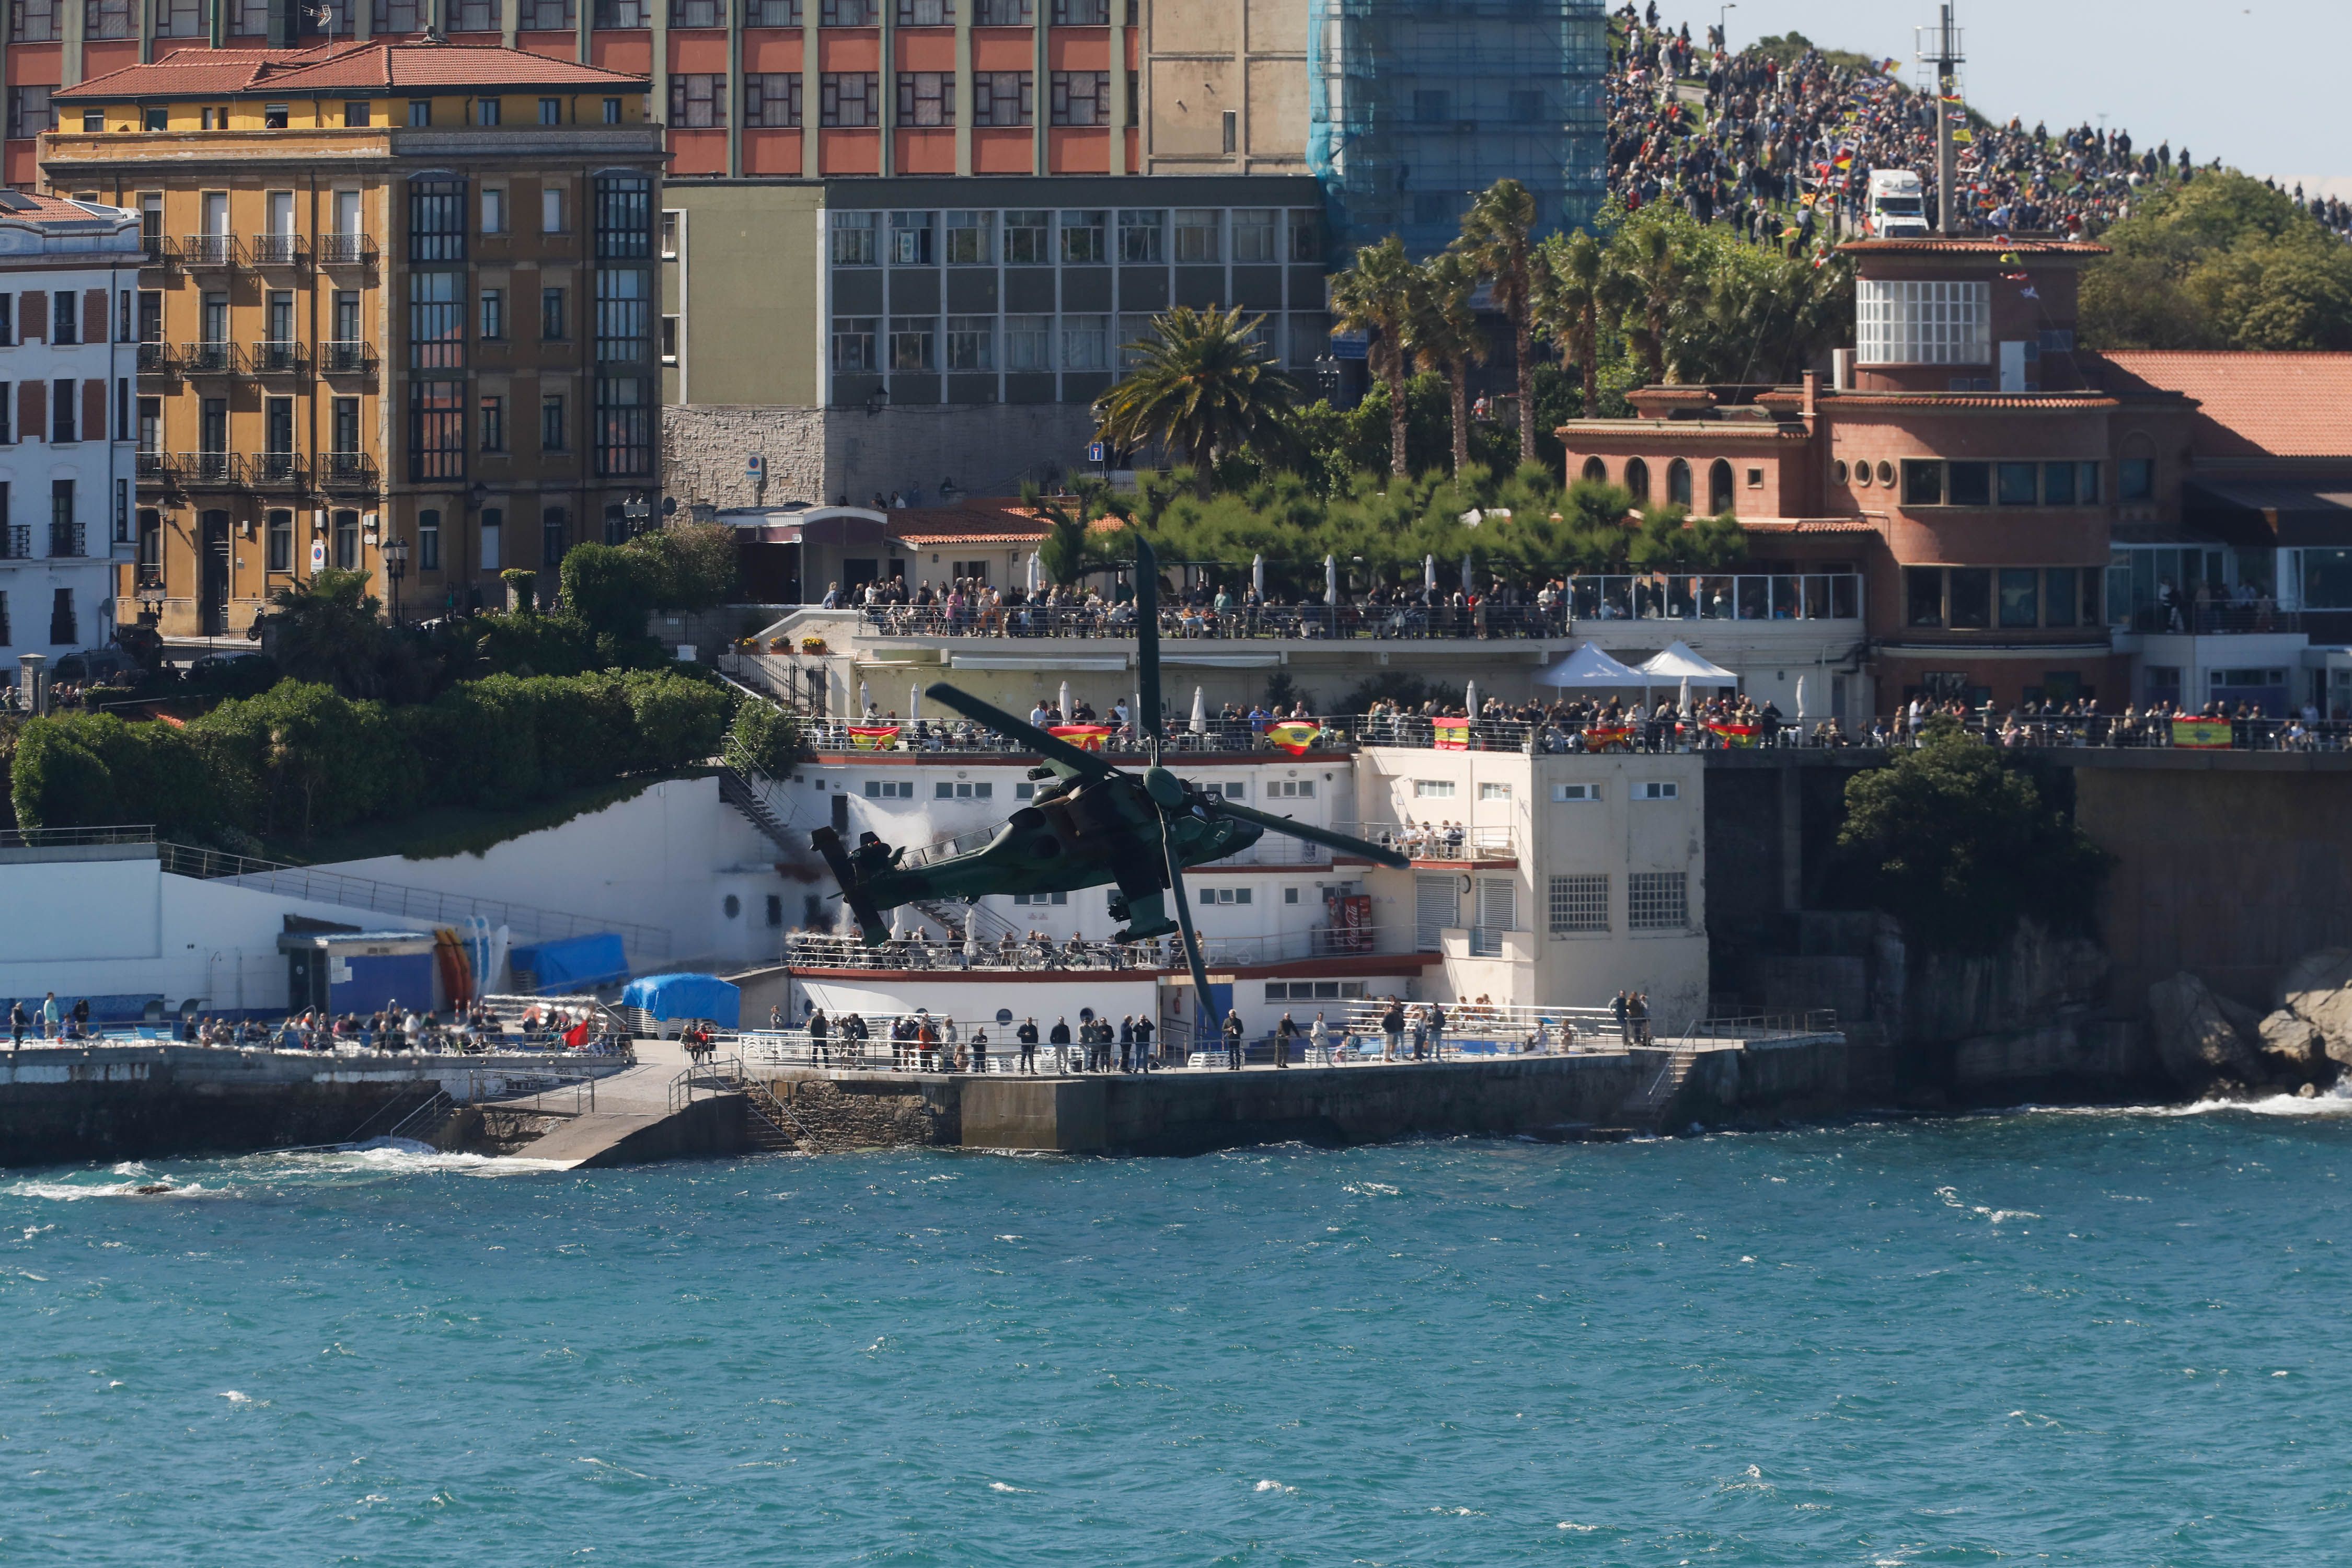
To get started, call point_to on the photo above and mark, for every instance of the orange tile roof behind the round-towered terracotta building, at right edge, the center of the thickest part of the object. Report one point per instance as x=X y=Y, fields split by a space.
x=2252 y=406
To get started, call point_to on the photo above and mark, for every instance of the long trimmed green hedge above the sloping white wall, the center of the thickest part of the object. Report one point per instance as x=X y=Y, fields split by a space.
x=300 y=760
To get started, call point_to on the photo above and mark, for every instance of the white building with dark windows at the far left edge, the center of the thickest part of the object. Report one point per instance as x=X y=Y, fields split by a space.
x=69 y=288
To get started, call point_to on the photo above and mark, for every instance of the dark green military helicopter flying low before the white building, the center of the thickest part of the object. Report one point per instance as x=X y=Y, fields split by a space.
x=1088 y=826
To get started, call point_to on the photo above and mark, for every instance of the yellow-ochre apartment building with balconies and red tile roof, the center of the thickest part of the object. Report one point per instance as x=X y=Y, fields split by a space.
x=335 y=319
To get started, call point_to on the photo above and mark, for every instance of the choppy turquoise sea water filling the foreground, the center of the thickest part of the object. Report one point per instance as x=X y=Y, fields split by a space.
x=2047 y=1336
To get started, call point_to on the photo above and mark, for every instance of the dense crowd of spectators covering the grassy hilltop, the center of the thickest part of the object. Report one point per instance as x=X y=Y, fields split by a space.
x=1746 y=138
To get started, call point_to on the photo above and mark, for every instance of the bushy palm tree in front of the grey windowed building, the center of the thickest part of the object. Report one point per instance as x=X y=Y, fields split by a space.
x=1205 y=389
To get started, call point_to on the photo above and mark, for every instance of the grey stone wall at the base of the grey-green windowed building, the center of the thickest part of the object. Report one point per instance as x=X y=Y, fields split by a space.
x=853 y=455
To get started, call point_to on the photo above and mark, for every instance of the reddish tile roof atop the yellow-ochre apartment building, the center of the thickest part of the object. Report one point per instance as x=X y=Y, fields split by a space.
x=373 y=67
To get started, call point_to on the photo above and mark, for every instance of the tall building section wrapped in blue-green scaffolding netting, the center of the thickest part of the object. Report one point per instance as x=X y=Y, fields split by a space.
x=1419 y=105
